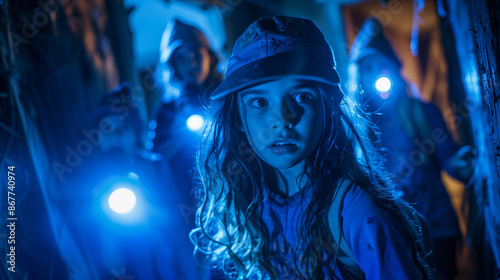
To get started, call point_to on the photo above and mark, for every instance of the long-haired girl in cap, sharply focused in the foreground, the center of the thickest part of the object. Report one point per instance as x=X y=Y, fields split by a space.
x=287 y=189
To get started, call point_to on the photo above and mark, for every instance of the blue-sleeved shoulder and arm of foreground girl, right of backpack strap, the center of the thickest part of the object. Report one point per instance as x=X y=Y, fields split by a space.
x=376 y=237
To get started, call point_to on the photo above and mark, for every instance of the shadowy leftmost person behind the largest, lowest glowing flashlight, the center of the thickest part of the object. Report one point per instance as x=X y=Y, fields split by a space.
x=139 y=243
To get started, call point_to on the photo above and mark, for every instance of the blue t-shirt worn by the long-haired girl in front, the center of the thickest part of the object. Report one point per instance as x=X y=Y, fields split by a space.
x=380 y=244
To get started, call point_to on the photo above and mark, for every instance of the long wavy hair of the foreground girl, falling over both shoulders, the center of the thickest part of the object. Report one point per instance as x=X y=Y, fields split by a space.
x=230 y=231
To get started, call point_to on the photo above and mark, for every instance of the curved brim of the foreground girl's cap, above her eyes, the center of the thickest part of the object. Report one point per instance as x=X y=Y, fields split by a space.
x=272 y=68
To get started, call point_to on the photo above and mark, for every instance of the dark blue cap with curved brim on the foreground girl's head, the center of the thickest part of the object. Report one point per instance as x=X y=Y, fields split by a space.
x=277 y=47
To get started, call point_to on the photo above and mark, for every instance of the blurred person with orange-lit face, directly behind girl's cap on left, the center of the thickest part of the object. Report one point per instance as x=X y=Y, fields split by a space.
x=188 y=70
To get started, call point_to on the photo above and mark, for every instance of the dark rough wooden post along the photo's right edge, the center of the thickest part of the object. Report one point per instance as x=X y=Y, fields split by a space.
x=476 y=26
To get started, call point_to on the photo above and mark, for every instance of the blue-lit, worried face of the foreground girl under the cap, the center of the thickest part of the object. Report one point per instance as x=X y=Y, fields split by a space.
x=283 y=119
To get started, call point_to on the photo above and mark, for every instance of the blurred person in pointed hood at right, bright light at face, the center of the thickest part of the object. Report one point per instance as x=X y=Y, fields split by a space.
x=414 y=140
